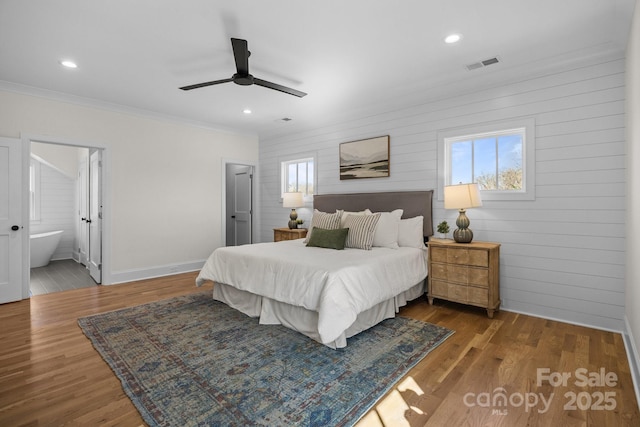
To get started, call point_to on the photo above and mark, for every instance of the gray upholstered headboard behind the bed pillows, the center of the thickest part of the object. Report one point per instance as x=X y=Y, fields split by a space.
x=413 y=203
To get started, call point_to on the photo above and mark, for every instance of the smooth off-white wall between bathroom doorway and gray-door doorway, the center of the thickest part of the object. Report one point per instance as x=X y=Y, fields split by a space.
x=165 y=178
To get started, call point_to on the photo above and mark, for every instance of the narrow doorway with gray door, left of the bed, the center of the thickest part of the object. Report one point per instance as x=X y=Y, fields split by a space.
x=239 y=204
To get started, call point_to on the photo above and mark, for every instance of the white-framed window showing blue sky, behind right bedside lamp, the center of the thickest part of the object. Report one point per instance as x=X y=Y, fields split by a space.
x=498 y=157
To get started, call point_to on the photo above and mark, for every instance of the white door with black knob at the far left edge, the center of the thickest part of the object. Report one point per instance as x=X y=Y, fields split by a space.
x=11 y=229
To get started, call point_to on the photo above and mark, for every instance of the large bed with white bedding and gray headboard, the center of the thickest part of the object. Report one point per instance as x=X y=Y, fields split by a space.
x=330 y=295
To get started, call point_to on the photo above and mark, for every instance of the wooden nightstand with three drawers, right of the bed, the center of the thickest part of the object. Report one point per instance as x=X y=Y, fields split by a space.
x=468 y=273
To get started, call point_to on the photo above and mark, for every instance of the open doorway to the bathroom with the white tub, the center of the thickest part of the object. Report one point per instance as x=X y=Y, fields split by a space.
x=66 y=195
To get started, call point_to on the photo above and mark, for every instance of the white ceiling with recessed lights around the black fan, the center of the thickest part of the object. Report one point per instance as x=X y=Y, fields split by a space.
x=350 y=56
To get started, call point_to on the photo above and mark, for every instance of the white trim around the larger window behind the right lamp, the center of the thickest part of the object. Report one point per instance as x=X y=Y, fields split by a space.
x=528 y=156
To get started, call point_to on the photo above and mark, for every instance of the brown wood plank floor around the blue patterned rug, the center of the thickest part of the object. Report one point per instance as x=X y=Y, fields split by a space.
x=51 y=375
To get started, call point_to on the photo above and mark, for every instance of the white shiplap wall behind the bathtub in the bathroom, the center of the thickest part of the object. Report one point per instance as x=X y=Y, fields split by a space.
x=57 y=209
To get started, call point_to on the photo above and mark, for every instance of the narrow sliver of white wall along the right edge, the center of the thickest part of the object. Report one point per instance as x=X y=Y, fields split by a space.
x=632 y=309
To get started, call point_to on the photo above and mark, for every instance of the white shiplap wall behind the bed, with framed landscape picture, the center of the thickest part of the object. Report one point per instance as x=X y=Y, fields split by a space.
x=562 y=254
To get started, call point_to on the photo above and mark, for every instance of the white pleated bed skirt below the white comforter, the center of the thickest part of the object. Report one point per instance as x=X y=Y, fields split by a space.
x=305 y=321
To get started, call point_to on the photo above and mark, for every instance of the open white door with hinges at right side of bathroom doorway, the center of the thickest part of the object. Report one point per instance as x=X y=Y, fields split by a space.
x=95 y=216
